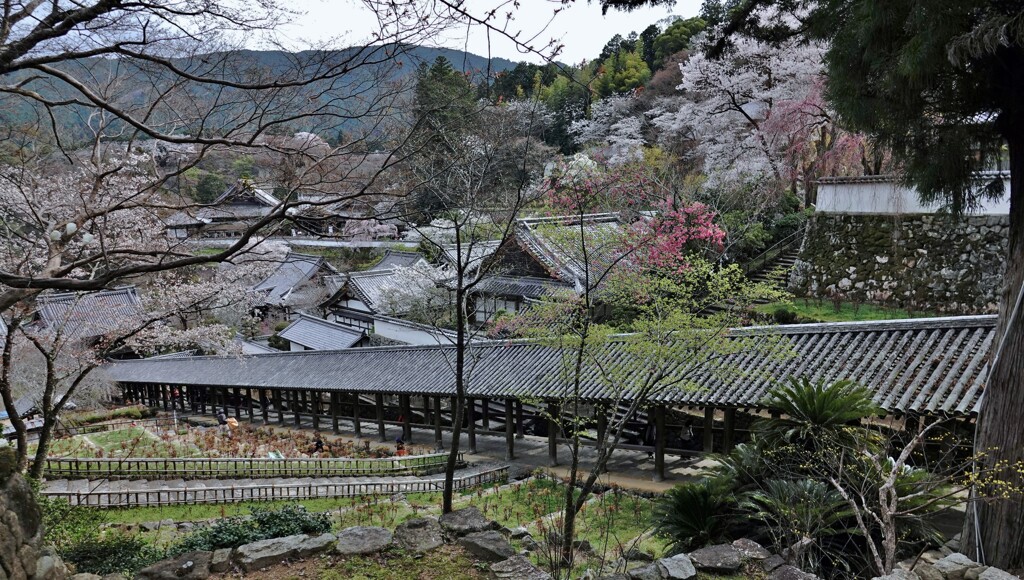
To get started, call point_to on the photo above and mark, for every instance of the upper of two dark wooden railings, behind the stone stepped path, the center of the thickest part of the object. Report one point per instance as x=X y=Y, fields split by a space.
x=238 y=468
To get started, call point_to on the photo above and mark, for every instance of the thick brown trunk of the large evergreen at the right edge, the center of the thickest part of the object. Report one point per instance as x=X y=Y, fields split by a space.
x=1000 y=438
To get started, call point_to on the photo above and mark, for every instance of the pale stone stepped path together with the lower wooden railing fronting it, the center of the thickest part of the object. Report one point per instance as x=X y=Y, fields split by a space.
x=138 y=493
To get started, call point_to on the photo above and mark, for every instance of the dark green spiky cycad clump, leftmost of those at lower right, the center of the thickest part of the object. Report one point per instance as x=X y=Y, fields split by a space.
x=696 y=515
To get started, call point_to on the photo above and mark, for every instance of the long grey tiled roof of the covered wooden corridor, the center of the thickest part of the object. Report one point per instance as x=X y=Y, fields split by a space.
x=927 y=366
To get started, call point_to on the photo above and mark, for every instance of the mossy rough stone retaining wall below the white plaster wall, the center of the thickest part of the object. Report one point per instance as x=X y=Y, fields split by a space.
x=923 y=262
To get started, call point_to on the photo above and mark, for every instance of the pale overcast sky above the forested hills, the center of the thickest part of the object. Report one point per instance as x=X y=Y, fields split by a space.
x=580 y=27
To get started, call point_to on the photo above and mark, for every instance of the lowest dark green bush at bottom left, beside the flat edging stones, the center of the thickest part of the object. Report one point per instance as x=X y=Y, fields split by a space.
x=113 y=554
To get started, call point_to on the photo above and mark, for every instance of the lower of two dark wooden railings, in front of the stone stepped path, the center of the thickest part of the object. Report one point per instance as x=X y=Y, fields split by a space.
x=232 y=494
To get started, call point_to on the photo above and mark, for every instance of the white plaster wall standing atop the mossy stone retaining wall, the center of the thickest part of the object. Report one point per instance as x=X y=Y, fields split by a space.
x=890 y=198
